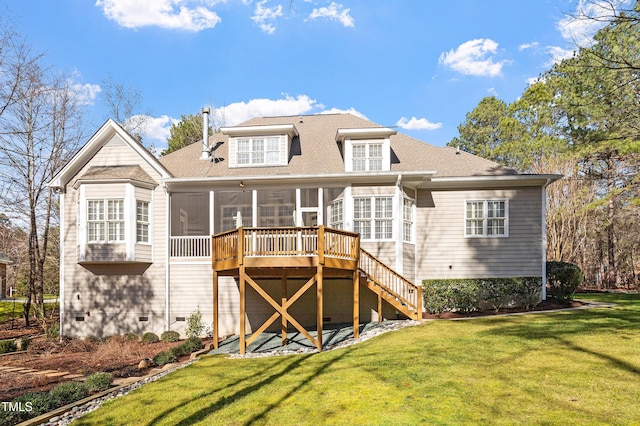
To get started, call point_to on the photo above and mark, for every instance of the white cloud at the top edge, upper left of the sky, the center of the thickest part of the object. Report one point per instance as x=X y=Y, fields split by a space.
x=170 y=14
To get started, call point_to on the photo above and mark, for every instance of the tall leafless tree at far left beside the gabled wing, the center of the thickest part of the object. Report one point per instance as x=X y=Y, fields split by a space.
x=38 y=133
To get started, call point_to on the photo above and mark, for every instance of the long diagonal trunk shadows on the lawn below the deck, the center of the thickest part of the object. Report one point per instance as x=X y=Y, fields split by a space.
x=223 y=401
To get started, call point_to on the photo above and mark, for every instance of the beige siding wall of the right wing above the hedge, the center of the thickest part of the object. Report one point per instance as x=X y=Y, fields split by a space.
x=442 y=251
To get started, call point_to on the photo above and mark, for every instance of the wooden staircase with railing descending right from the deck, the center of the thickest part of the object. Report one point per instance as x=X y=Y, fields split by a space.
x=390 y=286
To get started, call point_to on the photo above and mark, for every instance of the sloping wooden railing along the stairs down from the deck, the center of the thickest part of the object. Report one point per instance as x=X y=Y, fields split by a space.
x=395 y=285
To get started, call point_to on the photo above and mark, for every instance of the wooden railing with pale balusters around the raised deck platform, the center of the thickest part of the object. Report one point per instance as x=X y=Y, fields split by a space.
x=285 y=241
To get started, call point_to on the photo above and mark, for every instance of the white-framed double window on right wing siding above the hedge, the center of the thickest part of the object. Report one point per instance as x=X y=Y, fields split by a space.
x=486 y=218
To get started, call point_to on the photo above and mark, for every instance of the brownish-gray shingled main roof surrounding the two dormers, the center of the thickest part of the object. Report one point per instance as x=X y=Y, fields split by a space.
x=317 y=152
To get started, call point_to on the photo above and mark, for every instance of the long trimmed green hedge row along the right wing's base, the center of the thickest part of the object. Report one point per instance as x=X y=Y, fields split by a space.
x=474 y=294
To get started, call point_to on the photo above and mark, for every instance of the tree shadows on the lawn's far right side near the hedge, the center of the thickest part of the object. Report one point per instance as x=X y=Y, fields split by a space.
x=560 y=326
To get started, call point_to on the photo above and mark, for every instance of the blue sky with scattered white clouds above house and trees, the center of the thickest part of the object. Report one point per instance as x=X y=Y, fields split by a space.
x=418 y=65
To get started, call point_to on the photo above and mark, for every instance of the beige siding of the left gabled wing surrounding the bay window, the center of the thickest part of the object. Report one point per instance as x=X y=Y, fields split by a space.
x=111 y=298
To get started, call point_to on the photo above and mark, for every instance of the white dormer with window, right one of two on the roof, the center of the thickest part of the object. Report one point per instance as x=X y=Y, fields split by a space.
x=366 y=150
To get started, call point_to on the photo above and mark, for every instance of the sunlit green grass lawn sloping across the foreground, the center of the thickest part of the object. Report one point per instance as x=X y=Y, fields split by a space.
x=577 y=367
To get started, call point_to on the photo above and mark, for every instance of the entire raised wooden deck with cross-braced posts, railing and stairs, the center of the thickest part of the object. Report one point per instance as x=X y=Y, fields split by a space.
x=313 y=253
